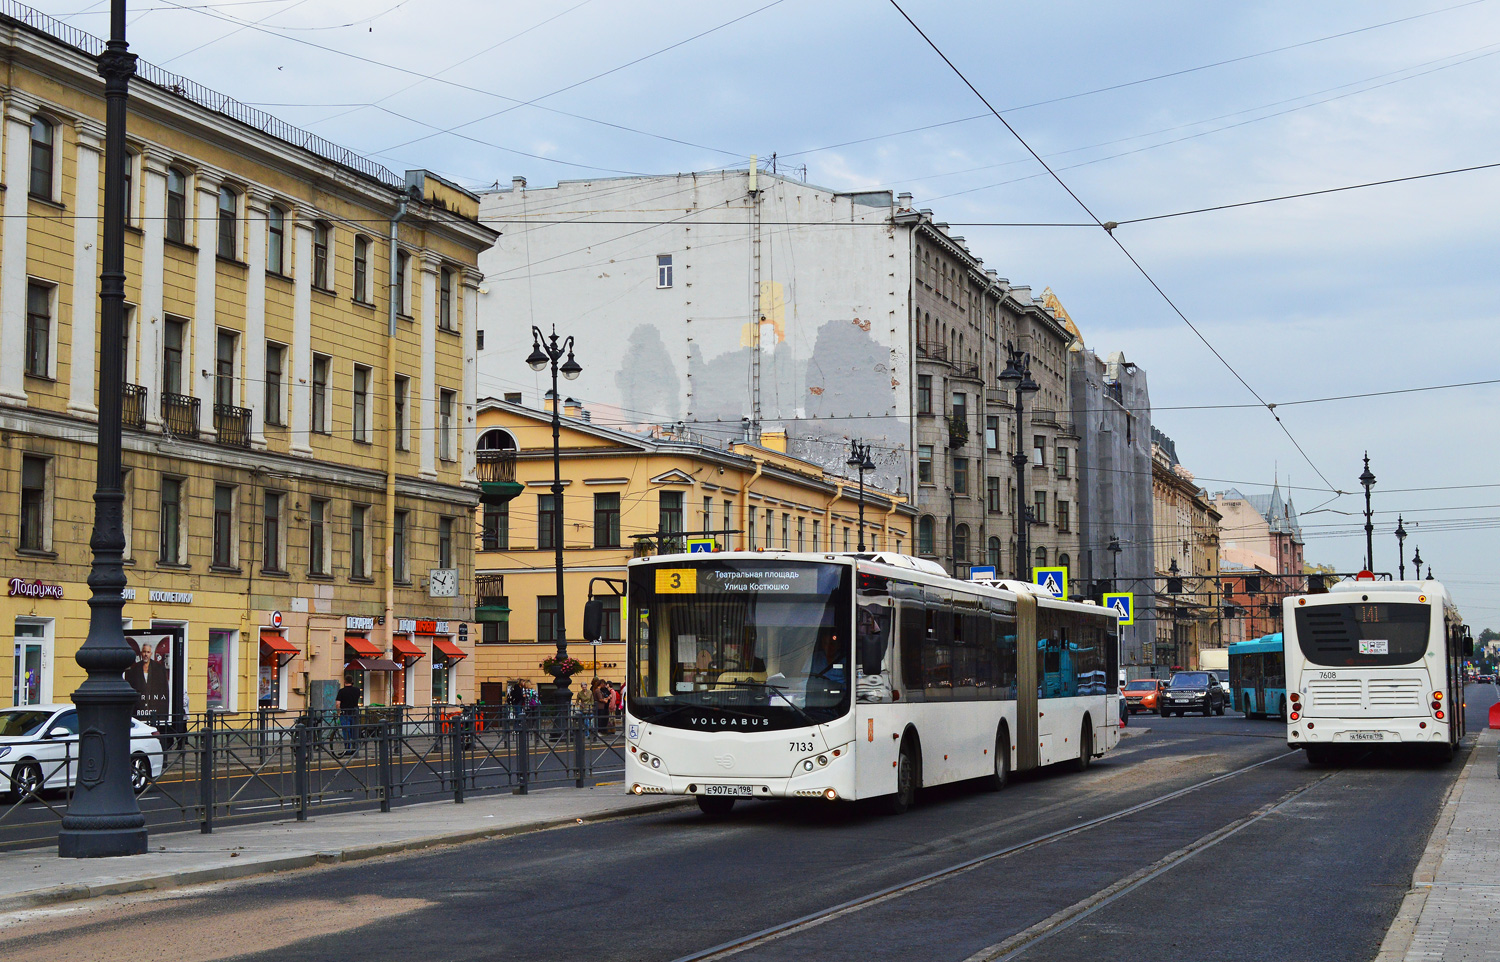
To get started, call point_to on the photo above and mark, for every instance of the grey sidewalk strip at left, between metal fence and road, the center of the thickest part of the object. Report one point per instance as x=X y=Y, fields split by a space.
x=38 y=877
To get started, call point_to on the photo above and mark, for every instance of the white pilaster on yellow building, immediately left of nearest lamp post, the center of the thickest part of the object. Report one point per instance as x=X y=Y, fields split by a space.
x=88 y=209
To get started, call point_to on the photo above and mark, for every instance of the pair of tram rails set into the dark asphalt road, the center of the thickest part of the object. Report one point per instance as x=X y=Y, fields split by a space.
x=1088 y=906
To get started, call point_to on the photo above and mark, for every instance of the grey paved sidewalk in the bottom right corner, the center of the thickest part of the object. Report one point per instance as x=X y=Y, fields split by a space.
x=1451 y=912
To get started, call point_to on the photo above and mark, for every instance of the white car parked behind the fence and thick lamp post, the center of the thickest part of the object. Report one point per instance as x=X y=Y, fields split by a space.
x=40 y=750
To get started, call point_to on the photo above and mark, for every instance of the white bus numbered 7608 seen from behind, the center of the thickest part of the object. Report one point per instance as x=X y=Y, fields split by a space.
x=1375 y=663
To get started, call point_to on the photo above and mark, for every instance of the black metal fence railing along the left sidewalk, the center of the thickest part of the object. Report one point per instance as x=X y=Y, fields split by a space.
x=229 y=768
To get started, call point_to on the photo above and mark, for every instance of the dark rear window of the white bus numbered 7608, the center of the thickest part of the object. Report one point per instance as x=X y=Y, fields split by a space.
x=1364 y=636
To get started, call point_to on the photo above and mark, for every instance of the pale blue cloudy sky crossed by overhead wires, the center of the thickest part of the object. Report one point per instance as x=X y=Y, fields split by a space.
x=1144 y=110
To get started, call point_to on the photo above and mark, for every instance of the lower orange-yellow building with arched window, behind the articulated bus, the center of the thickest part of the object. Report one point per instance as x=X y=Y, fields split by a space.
x=626 y=496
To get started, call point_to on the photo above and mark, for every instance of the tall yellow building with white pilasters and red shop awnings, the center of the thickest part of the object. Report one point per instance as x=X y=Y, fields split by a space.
x=299 y=504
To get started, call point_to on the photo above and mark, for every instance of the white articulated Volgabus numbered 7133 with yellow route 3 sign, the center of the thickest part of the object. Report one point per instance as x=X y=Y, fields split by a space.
x=844 y=678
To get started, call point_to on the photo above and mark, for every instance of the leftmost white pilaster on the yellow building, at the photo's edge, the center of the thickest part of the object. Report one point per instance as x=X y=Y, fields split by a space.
x=13 y=256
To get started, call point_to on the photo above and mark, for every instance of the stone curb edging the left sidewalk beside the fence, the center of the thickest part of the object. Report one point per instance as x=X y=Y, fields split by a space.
x=164 y=882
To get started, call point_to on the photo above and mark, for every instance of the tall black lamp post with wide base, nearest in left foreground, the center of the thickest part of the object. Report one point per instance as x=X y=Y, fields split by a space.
x=104 y=817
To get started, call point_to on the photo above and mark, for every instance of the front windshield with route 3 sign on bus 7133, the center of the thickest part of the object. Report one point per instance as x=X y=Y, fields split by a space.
x=743 y=646
